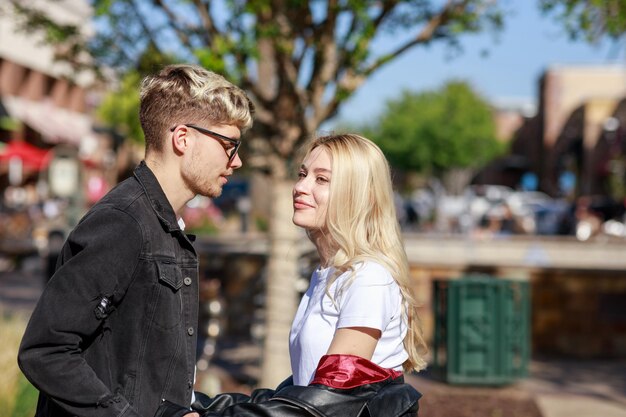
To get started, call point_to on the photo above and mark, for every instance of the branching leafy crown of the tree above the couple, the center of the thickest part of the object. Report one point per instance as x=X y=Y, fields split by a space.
x=289 y=56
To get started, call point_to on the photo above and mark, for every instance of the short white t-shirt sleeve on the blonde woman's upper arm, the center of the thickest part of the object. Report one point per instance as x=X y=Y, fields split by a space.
x=371 y=300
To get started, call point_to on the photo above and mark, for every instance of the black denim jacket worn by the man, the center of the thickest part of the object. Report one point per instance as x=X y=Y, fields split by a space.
x=114 y=331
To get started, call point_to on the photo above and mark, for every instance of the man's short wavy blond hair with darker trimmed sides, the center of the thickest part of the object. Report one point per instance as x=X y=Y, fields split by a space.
x=186 y=93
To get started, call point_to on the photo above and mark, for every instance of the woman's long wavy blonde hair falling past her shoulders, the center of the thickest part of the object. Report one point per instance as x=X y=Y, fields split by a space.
x=361 y=223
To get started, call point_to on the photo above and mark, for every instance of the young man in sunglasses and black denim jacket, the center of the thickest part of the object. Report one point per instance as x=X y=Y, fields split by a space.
x=114 y=332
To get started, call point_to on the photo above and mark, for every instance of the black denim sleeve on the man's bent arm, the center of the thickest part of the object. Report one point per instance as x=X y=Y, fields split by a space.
x=95 y=268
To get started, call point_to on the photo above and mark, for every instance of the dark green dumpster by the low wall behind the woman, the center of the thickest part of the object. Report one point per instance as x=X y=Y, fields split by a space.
x=482 y=330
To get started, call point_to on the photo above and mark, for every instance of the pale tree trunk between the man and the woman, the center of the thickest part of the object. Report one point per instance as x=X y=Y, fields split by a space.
x=281 y=297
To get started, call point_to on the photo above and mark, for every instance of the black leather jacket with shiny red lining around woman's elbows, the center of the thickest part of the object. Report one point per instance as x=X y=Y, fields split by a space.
x=357 y=387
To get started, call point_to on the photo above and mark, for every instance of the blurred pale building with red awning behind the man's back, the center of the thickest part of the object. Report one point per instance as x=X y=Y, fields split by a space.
x=52 y=161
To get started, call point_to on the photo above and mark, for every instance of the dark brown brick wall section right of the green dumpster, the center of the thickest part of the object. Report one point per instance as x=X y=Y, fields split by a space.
x=579 y=314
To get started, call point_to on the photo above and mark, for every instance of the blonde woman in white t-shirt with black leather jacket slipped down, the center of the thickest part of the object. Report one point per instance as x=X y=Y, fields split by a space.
x=356 y=328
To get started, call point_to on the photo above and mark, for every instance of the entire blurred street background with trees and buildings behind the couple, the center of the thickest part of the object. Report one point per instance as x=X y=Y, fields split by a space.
x=504 y=123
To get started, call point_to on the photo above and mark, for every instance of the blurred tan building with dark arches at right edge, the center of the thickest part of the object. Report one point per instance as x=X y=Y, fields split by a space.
x=572 y=146
